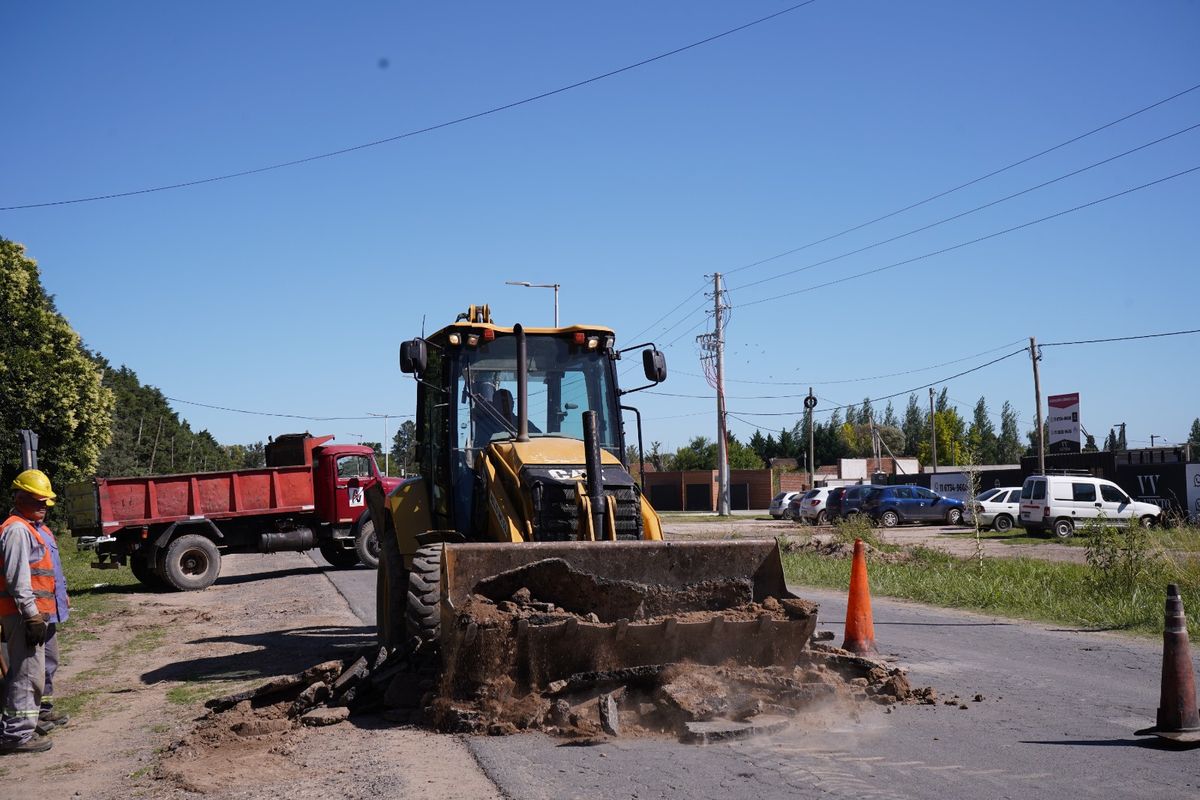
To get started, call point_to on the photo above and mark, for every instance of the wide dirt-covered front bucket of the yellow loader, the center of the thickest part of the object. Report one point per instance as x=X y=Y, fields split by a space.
x=541 y=613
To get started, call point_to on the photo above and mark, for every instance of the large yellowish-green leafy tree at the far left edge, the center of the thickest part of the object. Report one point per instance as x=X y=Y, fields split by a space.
x=49 y=382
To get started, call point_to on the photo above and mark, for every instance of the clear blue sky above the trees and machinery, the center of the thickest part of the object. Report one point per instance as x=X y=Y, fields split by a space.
x=290 y=291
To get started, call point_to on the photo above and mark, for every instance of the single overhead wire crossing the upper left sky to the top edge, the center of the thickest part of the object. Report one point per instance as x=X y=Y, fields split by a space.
x=419 y=131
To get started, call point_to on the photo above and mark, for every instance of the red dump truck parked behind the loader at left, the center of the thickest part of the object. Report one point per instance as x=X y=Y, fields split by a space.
x=172 y=530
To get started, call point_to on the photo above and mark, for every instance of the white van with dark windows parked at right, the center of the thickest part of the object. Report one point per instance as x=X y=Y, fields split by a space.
x=1061 y=503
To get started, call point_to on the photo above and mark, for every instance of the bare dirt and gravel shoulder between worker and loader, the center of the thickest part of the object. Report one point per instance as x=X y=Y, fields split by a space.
x=145 y=671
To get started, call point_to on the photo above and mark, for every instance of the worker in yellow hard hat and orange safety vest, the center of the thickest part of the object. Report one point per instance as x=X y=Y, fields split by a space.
x=31 y=598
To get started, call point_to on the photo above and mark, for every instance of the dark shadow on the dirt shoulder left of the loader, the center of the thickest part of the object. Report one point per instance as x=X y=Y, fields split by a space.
x=277 y=653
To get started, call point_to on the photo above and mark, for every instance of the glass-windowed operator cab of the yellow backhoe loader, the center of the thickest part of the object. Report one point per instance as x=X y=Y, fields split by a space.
x=469 y=390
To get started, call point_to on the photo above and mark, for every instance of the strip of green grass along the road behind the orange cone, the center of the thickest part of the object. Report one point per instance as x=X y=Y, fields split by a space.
x=1071 y=594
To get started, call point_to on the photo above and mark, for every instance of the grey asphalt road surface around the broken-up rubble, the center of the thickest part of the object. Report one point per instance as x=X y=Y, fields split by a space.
x=1057 y=719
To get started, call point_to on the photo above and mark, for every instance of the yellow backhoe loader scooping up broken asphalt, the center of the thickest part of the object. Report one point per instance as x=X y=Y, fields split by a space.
x=535 y=500
